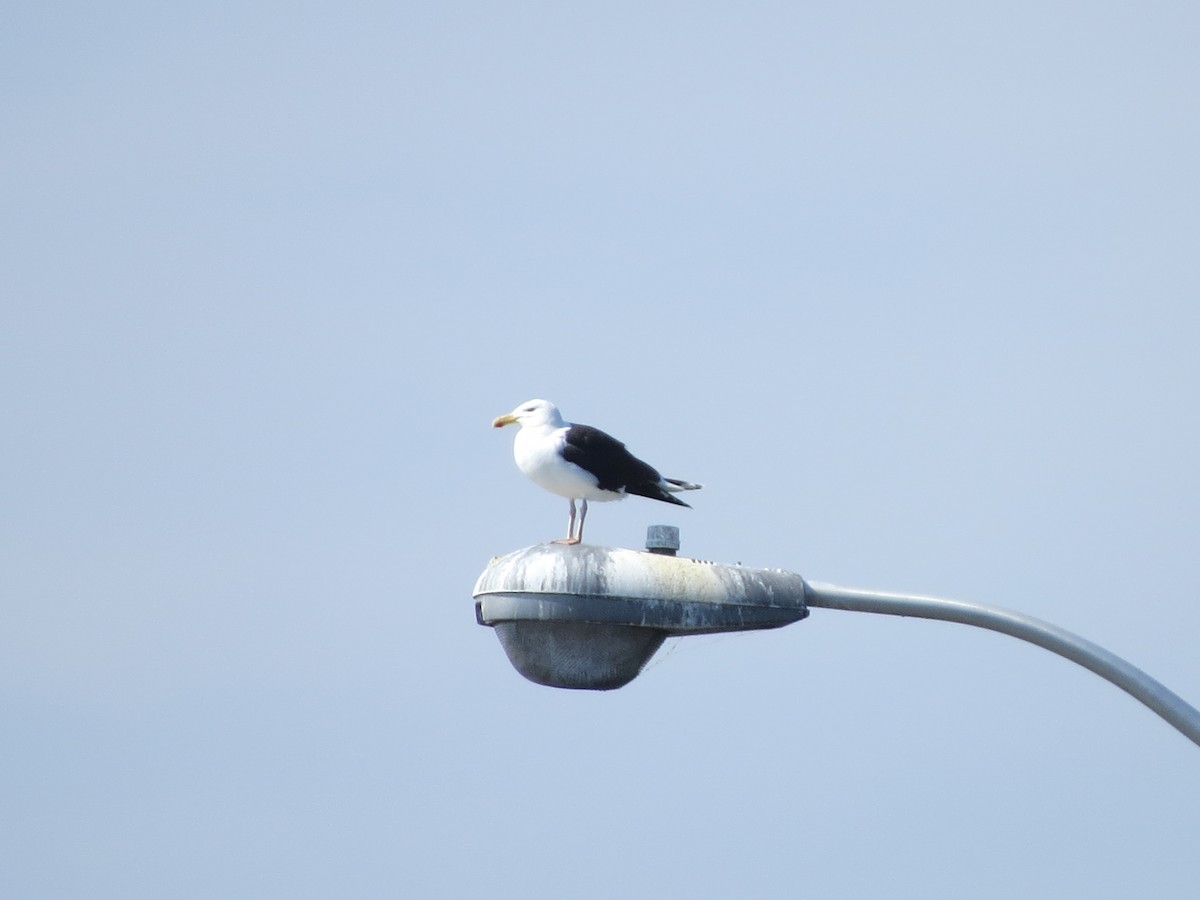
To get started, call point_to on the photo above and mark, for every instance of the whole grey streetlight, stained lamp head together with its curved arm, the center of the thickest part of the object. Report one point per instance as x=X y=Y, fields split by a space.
x=590 y=617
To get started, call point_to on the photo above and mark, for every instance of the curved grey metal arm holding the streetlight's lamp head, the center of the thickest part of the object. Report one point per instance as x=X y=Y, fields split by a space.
x=1108 y=665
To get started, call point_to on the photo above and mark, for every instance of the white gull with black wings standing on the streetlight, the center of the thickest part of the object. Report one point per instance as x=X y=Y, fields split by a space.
x=581 y=464
